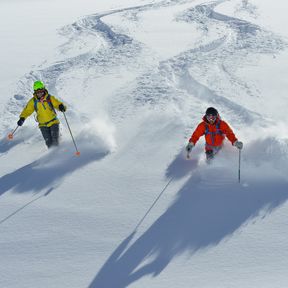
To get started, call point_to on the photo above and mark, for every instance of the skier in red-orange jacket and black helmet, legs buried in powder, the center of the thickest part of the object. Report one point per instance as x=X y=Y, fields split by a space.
x=215 y=131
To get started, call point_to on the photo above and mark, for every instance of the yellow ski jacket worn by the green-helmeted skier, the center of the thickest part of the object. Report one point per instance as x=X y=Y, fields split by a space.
x=45 y=109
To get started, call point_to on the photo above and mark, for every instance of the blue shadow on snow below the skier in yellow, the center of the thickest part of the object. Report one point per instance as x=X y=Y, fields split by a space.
x=47 y=171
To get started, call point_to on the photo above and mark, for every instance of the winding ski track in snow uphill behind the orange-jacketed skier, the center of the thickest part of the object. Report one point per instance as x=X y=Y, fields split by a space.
x=242 y=38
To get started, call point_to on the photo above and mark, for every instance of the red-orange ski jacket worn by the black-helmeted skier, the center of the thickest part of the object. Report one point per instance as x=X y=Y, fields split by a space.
x=214 y=133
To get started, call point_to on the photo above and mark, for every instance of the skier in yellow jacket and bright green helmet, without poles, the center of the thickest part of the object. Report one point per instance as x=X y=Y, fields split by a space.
x=44 y=105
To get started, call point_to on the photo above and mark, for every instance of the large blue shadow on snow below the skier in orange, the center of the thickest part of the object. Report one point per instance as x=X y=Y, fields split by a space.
x=198 y=218
